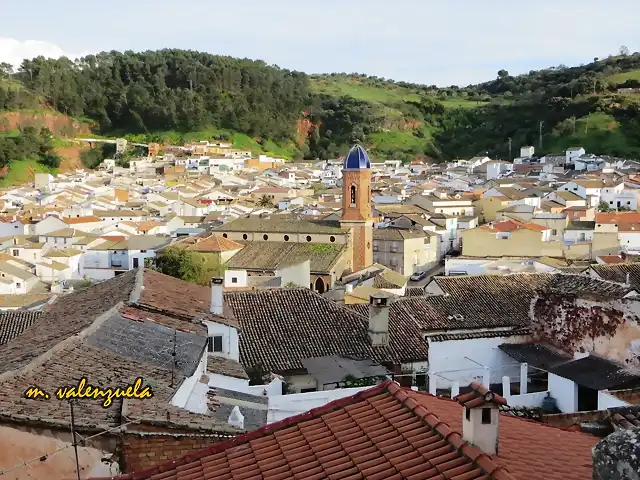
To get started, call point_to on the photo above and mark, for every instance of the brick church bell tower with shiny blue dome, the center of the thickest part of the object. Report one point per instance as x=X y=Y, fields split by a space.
x=356 y=205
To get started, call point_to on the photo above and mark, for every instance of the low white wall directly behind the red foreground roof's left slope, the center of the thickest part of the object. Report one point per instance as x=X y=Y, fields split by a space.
x=284 y=406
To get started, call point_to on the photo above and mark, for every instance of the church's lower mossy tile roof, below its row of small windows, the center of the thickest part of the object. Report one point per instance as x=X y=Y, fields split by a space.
x=275 y=255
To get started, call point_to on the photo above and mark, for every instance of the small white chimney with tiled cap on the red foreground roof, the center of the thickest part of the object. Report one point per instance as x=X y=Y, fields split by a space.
x=481 y=417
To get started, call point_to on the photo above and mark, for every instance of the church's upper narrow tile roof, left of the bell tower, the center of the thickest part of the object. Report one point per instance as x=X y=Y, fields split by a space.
x=276 y=225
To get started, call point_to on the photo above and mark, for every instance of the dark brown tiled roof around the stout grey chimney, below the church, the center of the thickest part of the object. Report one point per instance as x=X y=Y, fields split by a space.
x=280 y=328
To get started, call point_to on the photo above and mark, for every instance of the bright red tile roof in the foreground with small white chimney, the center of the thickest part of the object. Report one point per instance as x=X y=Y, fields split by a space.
x=386 y=432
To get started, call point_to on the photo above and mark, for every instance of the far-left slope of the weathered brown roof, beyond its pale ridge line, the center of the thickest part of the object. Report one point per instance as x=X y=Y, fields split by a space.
x=67 y=316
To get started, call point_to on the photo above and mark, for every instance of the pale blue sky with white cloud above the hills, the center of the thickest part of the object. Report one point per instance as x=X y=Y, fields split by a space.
x=424 y=41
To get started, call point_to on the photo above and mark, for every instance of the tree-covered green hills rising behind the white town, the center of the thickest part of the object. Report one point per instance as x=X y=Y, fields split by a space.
x=171 y=95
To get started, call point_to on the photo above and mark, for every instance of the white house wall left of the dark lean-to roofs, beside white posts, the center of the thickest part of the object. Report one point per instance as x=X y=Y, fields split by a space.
x=454 y=359
